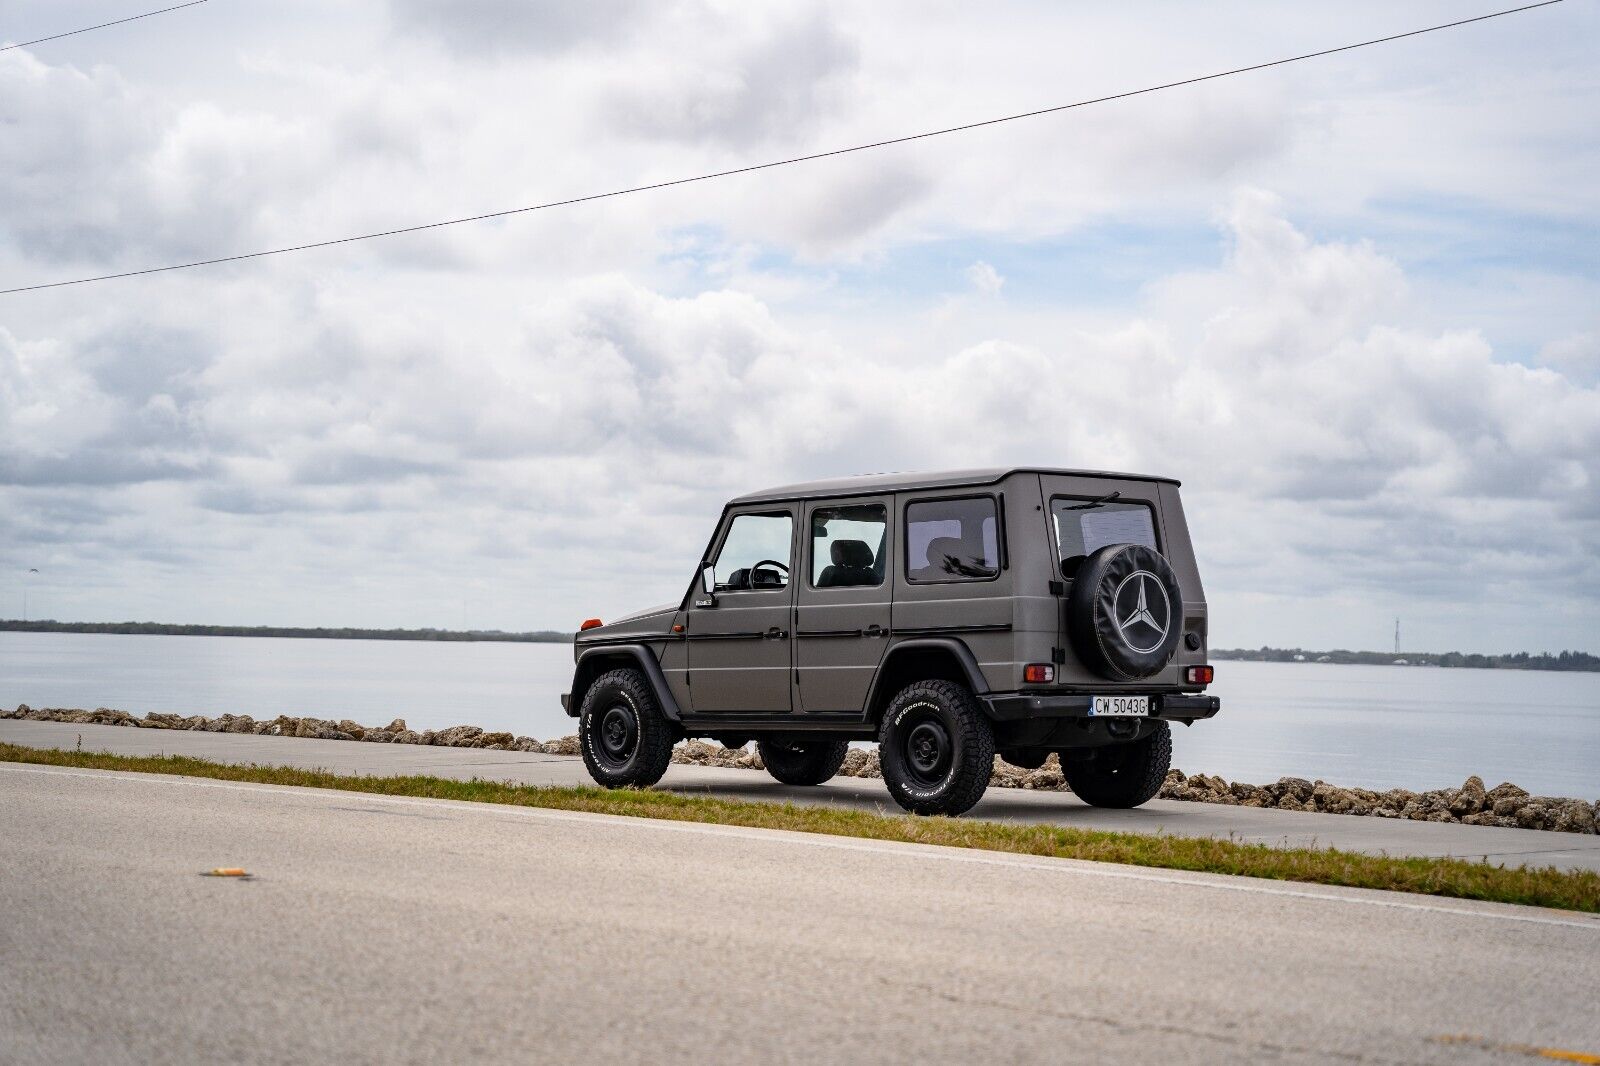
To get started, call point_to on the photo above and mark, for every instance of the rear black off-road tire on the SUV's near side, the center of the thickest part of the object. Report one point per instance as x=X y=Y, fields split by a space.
x=937 y=748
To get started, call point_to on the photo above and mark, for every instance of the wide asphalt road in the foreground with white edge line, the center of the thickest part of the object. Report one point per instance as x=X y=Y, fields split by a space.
x=396 y=931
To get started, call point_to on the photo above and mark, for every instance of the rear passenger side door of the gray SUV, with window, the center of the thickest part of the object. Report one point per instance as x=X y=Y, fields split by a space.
x=842 y=606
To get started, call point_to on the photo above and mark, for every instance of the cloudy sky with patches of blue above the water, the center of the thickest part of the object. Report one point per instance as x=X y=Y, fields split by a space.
x=1353 y=303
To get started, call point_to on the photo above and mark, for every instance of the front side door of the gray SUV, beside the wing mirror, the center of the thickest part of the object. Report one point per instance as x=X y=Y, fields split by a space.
x=740 y=643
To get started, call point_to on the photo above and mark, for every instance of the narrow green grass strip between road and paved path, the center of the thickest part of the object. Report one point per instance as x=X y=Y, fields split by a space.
x=1545 y=888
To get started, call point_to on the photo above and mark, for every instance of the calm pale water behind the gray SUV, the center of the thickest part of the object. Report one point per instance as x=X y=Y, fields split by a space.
x=1370 y=726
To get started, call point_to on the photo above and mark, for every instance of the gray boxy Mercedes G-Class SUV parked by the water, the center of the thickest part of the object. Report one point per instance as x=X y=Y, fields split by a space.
x=950 y=617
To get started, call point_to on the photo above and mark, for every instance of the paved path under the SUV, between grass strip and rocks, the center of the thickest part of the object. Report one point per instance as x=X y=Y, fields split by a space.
x=1375 y=836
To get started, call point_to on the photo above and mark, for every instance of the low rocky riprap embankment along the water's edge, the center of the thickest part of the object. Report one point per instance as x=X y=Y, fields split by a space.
x=1471 y=804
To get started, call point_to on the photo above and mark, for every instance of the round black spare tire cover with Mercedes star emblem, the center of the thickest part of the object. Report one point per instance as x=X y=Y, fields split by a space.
x=1126 y=612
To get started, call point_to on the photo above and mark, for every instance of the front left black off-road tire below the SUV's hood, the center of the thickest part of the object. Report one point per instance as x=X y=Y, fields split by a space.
x=625 y=737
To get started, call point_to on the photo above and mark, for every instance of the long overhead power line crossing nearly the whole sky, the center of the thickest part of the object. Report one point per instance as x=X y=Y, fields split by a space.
x=775 y=164
